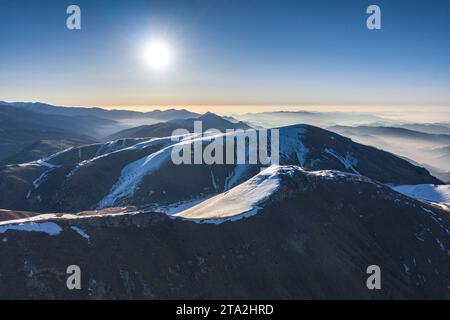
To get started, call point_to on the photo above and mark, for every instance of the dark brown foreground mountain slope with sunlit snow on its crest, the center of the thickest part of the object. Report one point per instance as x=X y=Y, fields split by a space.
x=309 y=235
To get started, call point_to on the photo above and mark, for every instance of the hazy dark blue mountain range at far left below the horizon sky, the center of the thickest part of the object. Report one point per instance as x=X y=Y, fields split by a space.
x=30 y=131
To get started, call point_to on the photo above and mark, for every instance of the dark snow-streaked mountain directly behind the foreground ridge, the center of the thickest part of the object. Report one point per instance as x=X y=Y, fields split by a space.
x=140 y=172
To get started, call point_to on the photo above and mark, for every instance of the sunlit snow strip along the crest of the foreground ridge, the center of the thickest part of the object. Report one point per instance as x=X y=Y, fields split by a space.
x=242 y=201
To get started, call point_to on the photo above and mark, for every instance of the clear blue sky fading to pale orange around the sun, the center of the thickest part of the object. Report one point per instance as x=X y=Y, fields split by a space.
x=227 y=52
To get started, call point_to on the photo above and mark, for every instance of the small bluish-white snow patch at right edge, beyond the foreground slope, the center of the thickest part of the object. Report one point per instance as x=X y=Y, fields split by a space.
x=428 y=192
